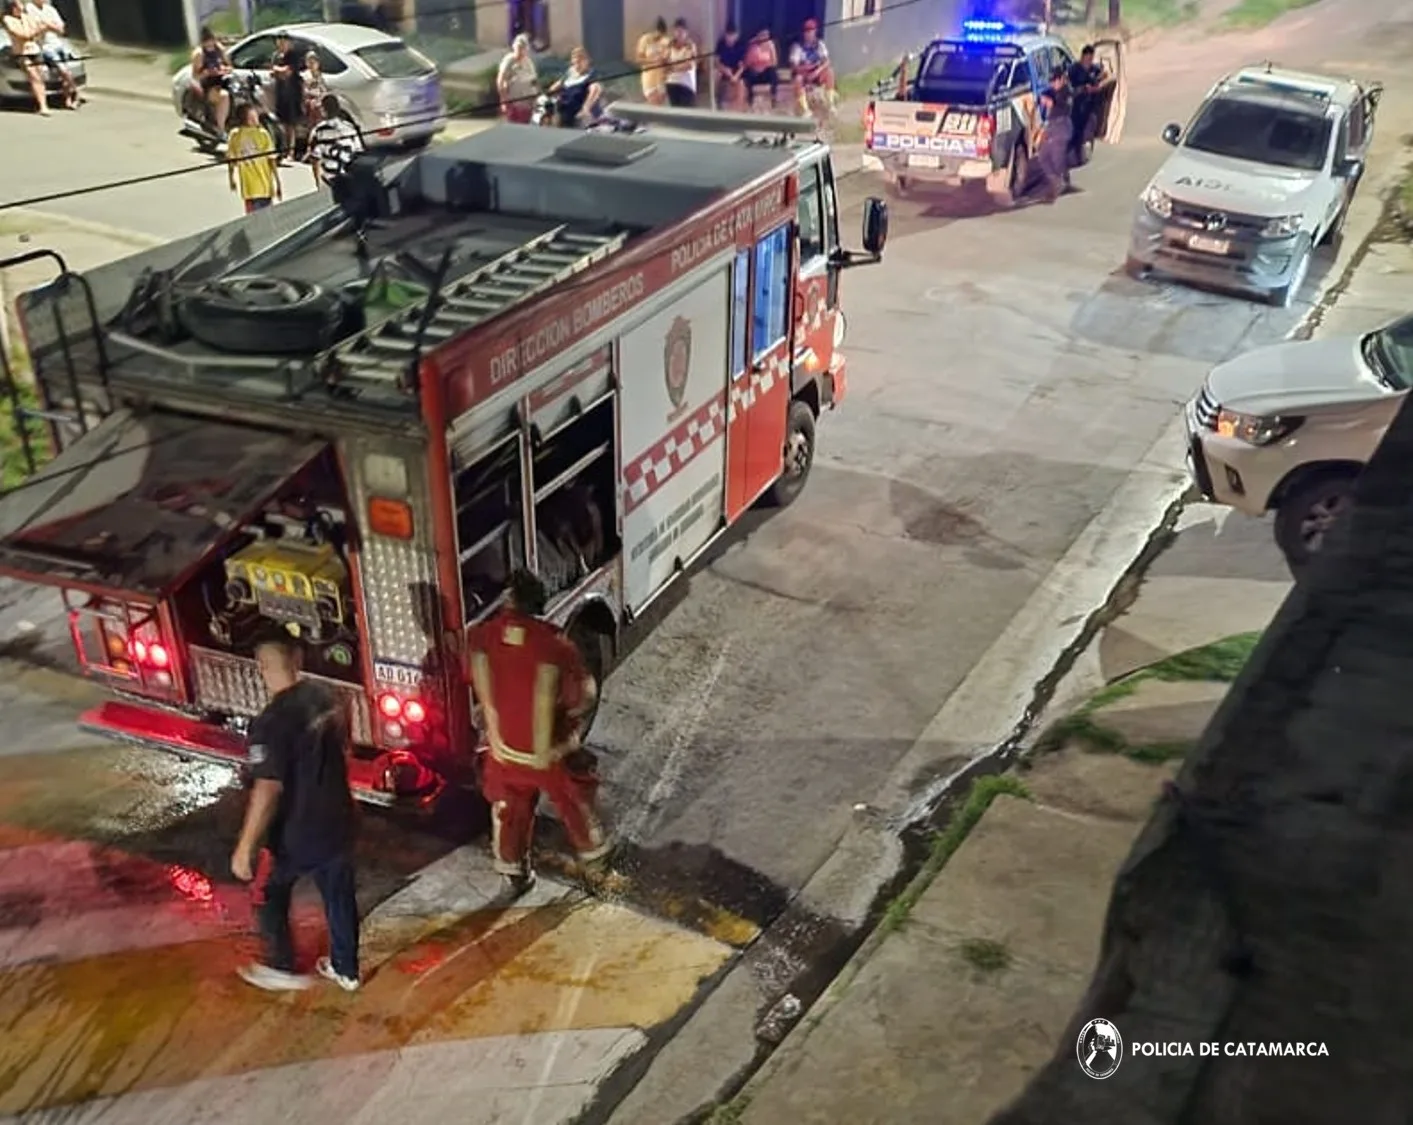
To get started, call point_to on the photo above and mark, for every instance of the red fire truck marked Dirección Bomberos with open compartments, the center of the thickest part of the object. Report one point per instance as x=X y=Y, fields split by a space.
x=581 y=354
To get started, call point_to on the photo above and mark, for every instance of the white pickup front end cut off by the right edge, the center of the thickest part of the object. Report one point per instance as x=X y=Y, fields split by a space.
x=1288 y=429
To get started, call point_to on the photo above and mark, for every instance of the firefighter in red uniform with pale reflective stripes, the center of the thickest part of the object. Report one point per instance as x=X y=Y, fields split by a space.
x=533 y=692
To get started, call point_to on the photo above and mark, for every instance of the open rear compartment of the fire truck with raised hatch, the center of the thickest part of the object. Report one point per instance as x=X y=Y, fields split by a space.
x=177 y=543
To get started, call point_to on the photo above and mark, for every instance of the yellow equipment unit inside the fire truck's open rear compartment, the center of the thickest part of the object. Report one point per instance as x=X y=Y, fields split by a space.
x=300 y=586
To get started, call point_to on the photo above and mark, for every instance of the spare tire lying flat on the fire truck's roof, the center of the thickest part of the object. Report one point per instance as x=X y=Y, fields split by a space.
x=264 y=314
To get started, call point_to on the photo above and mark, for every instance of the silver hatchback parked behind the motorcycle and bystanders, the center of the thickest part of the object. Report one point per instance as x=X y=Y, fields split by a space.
x=388 y=90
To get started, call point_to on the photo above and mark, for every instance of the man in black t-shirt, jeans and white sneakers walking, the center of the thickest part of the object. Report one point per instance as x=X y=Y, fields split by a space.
x=303 y=811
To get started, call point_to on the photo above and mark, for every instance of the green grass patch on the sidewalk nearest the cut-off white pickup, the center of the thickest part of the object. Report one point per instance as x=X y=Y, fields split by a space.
x=1216 y=664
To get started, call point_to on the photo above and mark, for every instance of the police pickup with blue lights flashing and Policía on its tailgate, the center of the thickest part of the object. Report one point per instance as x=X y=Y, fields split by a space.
x=966 y=111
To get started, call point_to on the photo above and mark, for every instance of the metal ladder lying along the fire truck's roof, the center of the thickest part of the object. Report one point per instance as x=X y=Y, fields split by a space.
x=388 y=353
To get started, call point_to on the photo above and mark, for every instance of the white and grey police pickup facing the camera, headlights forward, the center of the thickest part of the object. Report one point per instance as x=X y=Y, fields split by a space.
x=1261 y=177
